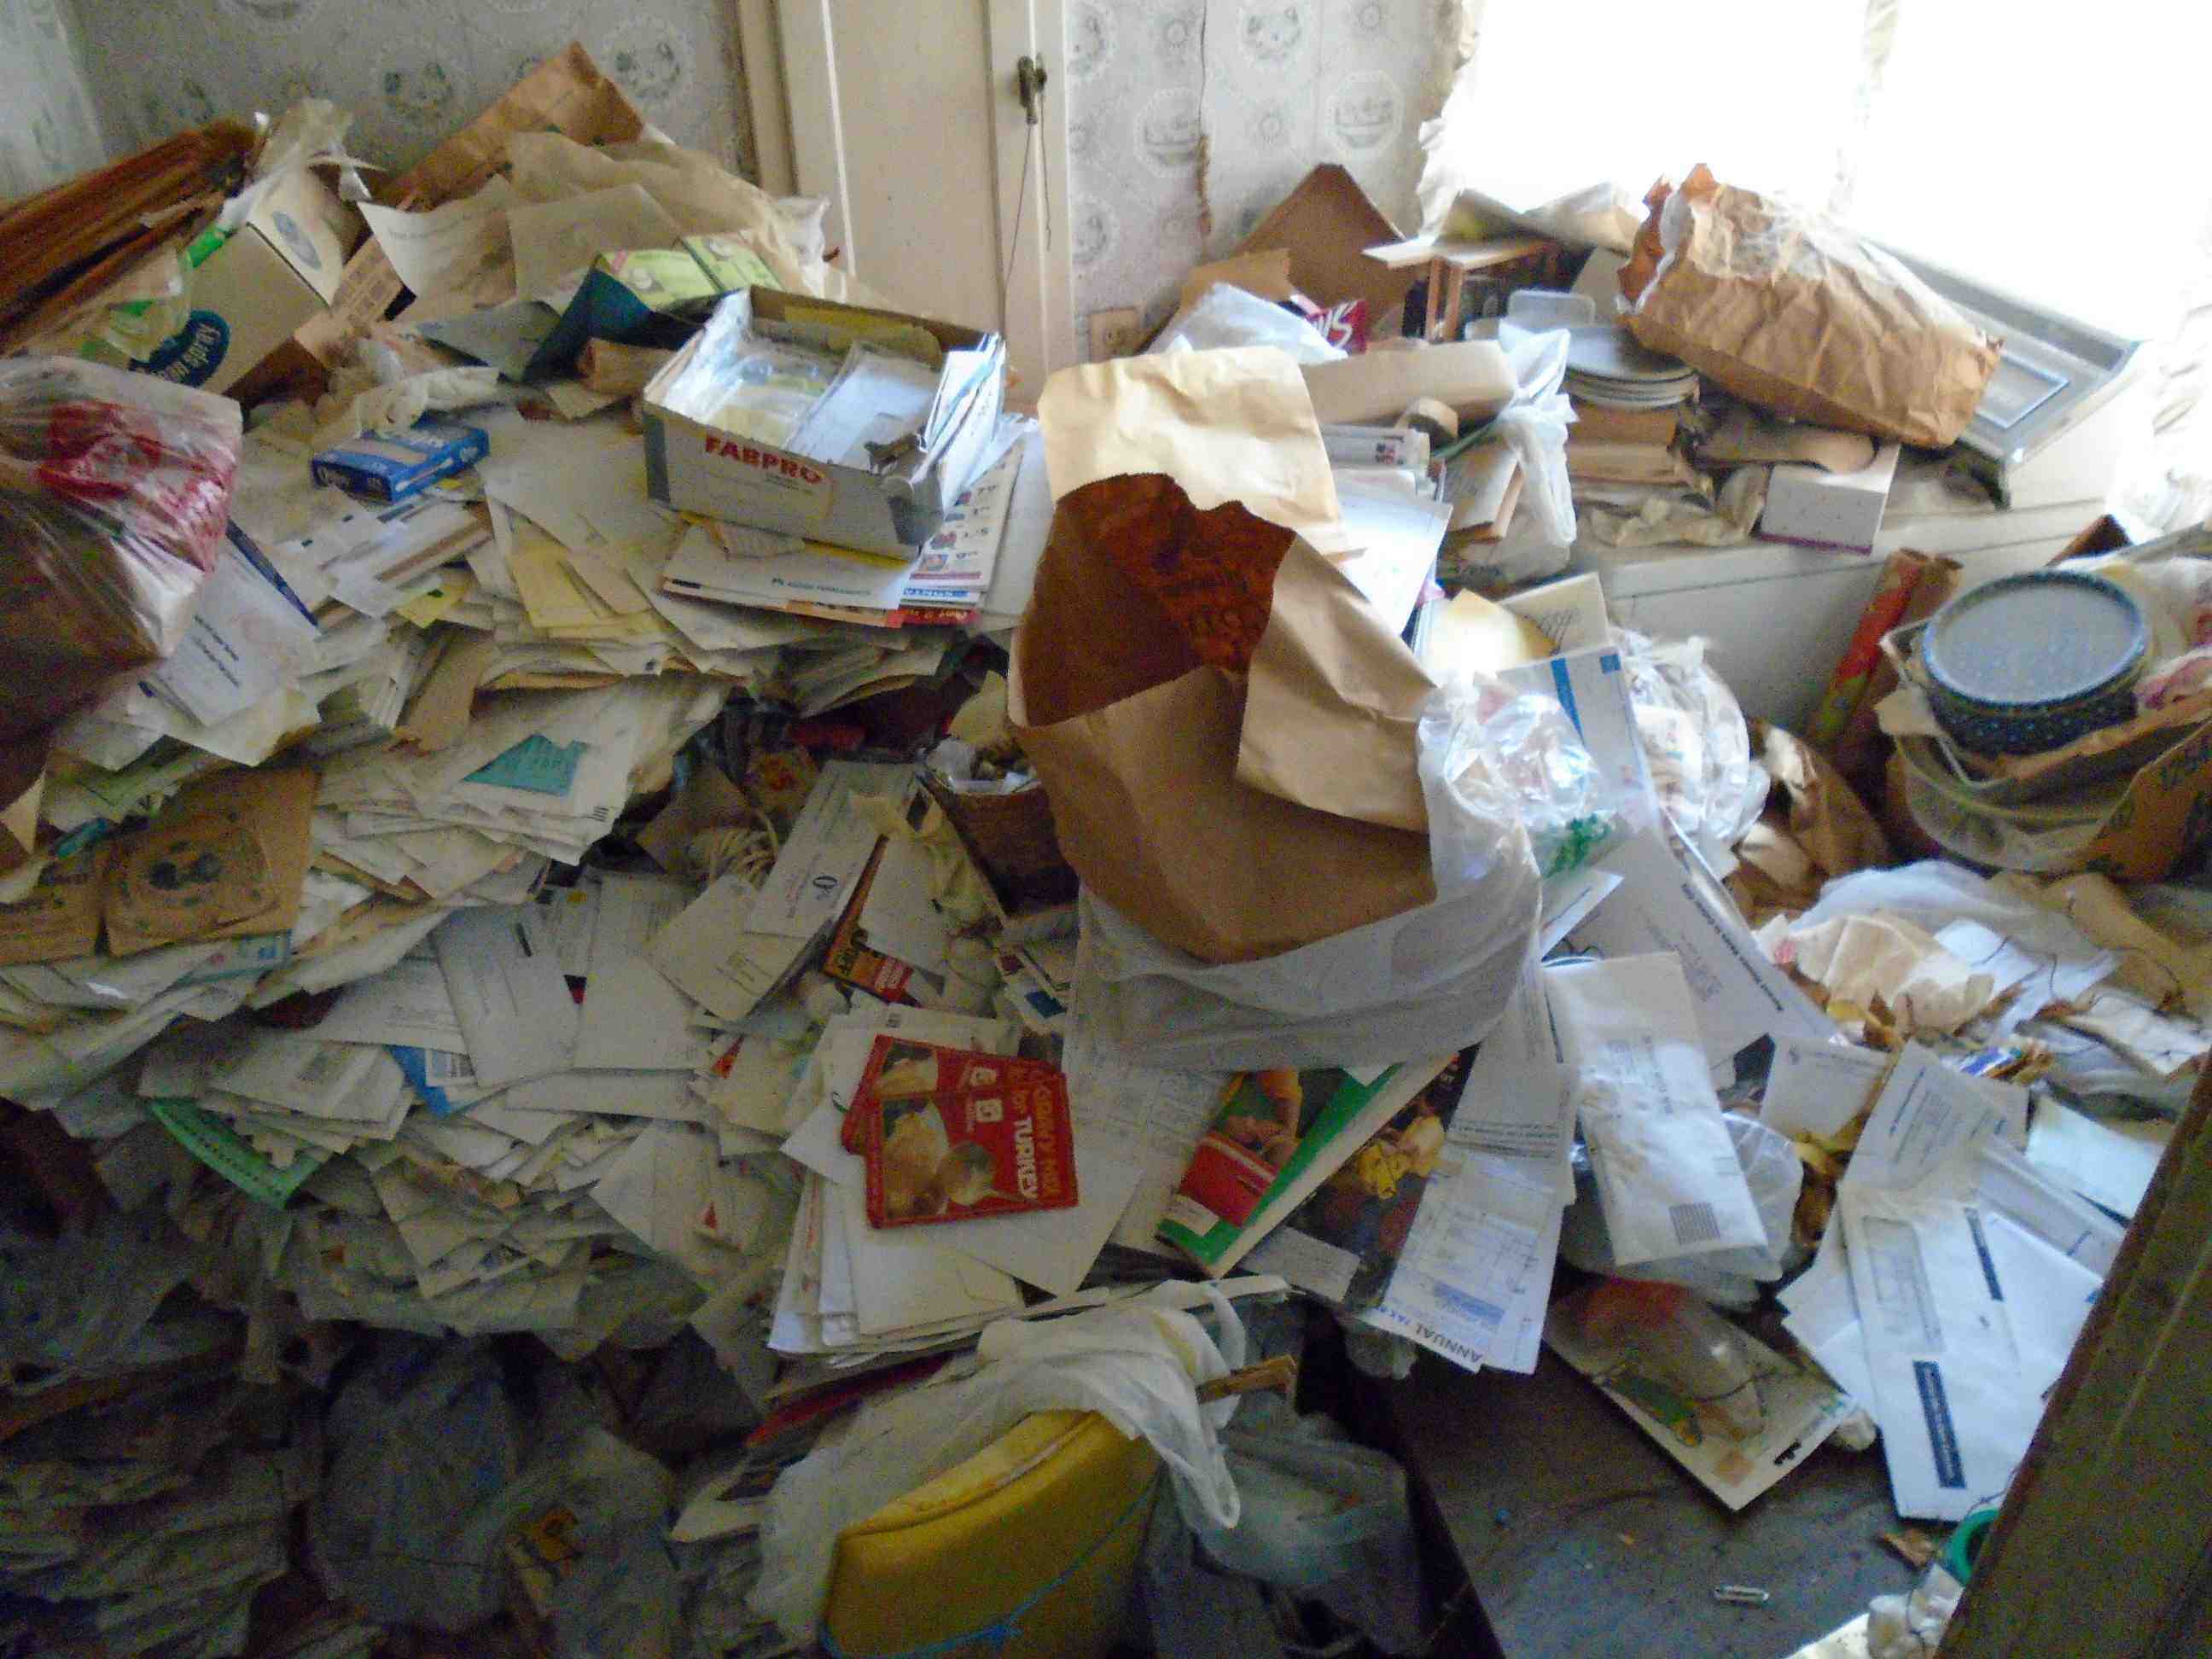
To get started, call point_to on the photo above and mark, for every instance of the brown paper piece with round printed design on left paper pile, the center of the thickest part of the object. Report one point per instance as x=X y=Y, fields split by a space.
x=222 y=862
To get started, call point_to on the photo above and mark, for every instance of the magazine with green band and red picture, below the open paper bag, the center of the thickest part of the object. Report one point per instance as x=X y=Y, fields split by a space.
x=1275 y=1140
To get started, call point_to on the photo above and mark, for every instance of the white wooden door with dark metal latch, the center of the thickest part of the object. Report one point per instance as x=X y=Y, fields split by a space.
x=910 y=121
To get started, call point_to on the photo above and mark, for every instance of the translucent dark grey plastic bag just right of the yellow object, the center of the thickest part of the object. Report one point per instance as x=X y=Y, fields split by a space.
x=1326 y=1521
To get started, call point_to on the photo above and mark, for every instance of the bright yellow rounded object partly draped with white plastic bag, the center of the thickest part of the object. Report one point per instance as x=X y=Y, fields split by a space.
x=1023 y=1552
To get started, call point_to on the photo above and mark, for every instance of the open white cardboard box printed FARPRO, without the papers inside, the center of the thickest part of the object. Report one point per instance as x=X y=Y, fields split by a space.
x=705 y=470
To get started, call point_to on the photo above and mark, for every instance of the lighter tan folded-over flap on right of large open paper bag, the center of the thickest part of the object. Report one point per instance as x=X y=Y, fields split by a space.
x=1333 y=705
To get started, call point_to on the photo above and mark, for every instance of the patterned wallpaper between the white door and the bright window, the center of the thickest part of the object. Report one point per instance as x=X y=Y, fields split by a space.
x=1258 y=90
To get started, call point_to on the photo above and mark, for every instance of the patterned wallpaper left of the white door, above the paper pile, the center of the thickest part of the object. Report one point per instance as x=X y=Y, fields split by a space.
x=410 y=70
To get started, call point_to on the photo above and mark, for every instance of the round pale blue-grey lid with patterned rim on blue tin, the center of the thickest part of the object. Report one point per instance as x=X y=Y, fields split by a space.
x=2036 y=640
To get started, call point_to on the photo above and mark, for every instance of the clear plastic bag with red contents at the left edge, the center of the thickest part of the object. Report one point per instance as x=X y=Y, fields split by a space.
x=114 y=501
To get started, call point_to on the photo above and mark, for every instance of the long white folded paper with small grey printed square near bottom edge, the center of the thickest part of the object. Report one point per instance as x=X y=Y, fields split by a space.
x=1667 y=1169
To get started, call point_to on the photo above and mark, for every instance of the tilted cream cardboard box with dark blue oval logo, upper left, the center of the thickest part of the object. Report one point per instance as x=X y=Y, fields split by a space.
x=273 y=275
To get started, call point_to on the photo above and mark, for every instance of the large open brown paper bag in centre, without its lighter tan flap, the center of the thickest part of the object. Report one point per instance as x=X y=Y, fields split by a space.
x=1131 y=711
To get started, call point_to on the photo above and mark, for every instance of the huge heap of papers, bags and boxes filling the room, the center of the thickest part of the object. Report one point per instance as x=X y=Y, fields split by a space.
x=680 y=979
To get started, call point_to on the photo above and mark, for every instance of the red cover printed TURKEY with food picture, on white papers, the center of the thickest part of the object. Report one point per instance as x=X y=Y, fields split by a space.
x=990 y=1138
